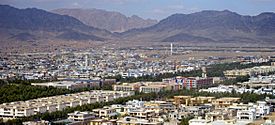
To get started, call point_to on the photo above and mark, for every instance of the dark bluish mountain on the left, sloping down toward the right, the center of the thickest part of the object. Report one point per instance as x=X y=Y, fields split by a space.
x=33 y=24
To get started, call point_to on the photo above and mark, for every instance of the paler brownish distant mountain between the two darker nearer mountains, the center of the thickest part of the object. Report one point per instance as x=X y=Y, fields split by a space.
x=111 y=21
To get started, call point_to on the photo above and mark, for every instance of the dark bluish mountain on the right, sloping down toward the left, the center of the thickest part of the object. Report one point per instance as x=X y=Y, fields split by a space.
x=209 y=26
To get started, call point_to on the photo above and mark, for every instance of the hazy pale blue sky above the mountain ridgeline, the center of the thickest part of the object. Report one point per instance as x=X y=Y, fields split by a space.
x=156 y=9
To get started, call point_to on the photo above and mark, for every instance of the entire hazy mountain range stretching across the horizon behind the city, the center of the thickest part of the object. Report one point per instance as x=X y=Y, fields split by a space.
x=205 y=26
